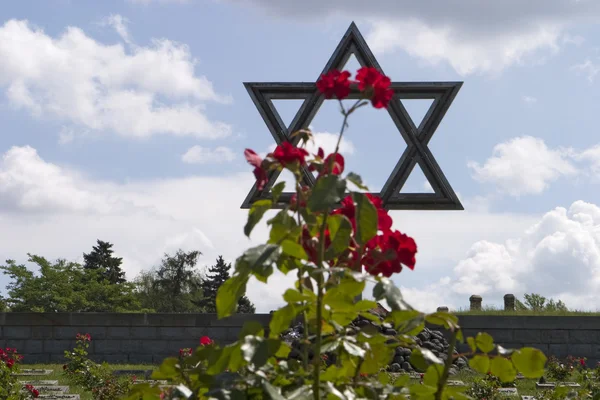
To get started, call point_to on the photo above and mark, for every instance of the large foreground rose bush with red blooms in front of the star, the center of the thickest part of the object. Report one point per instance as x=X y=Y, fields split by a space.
x=335 y=239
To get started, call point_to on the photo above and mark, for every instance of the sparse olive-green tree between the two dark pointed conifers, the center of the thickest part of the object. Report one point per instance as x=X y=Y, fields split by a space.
x=175 y=286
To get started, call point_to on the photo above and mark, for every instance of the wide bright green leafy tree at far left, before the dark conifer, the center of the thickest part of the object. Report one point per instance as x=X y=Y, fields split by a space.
x=64 y=286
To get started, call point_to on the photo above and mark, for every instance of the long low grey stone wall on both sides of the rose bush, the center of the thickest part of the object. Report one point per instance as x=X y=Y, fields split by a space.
x=148 y=338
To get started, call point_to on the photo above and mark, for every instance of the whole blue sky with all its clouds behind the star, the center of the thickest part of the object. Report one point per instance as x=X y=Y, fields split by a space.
x=101 y=101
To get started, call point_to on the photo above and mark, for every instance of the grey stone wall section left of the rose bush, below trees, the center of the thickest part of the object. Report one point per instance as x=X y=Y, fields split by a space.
x=116 y=338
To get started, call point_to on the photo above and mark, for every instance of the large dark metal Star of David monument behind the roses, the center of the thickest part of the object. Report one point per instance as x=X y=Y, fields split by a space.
x=416 y=137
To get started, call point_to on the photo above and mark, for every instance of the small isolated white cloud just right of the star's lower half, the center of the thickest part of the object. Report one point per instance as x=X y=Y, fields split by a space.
x=523 y=165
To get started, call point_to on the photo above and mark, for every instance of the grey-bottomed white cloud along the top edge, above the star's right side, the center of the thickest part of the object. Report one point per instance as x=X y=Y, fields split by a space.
x=472 y=37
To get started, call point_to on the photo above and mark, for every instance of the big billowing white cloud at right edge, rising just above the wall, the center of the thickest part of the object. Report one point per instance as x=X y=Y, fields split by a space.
x=557 y=257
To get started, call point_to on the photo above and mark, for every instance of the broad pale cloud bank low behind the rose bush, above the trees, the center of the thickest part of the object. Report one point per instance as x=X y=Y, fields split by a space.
x=55 y=211
